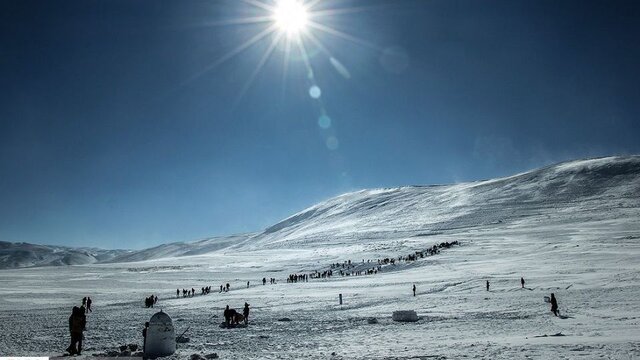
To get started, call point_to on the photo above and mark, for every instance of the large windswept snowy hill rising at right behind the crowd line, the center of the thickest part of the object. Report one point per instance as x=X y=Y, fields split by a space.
x=576 y=187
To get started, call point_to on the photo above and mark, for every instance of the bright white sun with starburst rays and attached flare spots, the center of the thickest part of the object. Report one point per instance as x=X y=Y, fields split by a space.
x=294 y=27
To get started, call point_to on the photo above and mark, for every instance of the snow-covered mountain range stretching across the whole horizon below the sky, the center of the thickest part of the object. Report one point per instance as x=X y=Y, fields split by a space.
x=572 y=191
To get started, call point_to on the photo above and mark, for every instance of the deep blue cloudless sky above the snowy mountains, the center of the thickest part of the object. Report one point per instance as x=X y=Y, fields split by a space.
x=108 y=138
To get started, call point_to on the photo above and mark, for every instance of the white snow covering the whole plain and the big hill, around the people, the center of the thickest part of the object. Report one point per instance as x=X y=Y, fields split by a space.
x=572 y=229
